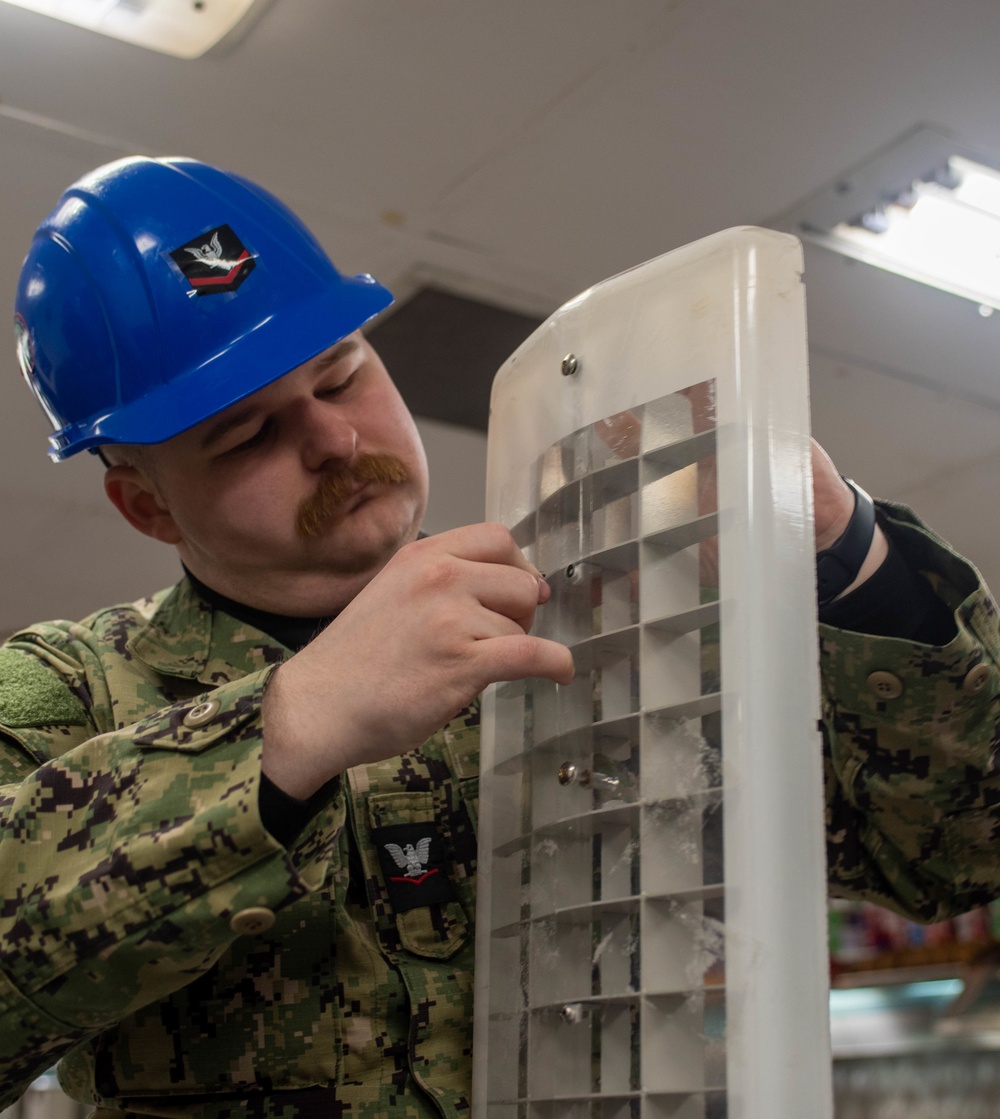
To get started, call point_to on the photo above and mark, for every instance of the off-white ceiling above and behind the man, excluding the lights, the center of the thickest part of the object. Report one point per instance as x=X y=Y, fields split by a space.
x=524 y=151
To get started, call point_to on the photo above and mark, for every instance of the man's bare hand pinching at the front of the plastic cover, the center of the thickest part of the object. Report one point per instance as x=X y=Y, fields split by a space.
x=445 y=618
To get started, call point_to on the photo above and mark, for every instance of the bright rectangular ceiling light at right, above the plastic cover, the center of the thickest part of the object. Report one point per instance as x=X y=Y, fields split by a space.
x=922 y=209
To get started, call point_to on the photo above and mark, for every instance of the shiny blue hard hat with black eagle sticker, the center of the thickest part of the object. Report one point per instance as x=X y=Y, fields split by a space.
x=161 y=291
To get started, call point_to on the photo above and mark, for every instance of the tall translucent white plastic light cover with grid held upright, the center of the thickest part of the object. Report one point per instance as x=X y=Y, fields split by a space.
x=652 y=906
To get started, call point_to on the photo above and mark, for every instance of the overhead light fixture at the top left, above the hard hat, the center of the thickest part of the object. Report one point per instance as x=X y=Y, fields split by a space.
x=183 y=29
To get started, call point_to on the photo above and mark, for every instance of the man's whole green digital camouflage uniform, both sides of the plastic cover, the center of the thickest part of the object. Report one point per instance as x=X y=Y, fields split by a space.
x=139 y=885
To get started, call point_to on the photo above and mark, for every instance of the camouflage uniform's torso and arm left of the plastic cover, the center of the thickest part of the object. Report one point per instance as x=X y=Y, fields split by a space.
x=130 y=840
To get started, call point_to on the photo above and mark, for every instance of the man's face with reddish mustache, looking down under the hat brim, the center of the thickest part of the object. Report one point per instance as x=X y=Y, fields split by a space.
x=295 y=499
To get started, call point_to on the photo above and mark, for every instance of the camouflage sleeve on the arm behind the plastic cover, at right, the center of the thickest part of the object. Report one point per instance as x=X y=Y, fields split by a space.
x=911 y=739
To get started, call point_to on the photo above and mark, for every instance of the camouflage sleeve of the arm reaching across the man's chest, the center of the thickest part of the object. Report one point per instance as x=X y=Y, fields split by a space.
x=128 y=860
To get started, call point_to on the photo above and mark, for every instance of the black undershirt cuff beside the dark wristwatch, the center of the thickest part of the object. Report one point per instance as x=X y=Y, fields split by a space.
x=897 y=601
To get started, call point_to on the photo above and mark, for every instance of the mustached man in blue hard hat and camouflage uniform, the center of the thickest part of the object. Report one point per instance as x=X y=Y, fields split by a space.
x=202 y=792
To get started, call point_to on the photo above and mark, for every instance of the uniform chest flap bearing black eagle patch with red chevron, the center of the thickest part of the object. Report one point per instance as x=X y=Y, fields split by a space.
x=416 y=872
